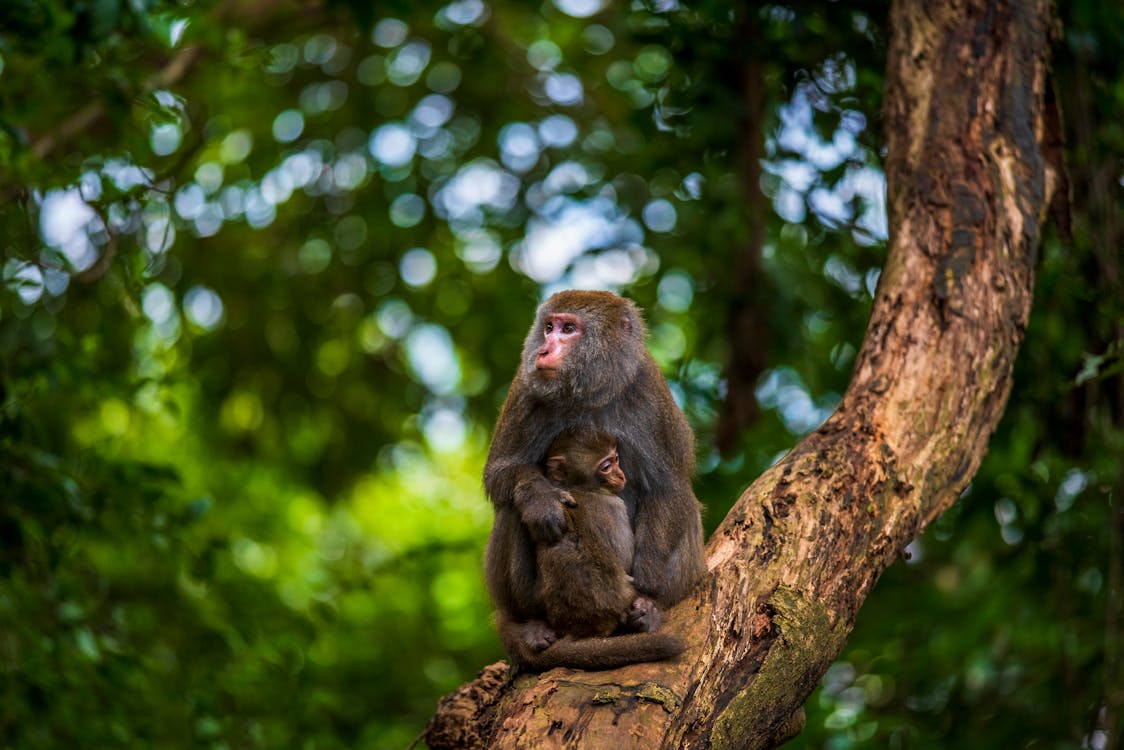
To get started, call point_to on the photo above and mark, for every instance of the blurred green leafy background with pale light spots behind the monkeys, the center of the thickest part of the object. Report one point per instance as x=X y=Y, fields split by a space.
x=266 y=273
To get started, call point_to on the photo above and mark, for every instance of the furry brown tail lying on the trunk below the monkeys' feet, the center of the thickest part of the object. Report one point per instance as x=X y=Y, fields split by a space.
x=594 y=654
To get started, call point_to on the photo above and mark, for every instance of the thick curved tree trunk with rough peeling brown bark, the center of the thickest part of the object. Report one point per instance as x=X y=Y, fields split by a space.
x=968 y=187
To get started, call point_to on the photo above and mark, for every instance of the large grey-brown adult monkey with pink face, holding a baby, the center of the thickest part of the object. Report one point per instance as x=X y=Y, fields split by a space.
x=585 y=365
